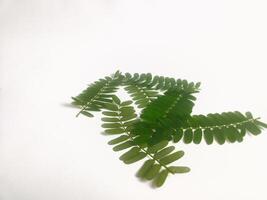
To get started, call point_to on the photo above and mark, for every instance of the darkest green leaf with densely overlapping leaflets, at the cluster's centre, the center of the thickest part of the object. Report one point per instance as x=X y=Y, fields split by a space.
x=169 y=110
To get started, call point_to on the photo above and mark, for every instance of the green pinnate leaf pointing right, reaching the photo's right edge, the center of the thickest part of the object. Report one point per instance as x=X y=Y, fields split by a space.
x=225 y=127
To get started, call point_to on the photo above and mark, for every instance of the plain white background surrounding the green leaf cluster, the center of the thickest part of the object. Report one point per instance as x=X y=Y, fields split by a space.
x=50 y=50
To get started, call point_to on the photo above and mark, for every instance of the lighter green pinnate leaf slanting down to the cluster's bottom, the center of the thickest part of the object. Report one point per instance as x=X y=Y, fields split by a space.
x=159 y=156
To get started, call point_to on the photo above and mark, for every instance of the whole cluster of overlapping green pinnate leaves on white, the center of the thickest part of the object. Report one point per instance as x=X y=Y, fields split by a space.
x=165 y=117
